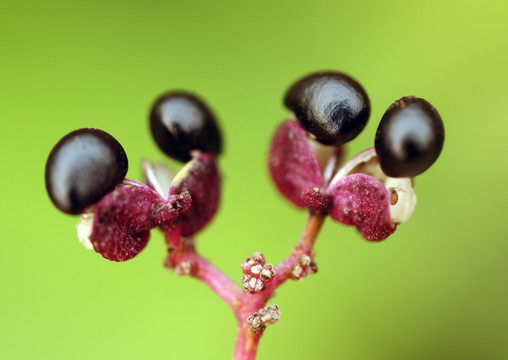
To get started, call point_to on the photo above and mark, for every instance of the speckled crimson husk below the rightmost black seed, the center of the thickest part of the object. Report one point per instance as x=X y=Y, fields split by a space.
x=362 y=201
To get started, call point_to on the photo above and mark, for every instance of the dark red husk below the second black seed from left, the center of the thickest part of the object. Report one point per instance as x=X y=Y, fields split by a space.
x=202 y=181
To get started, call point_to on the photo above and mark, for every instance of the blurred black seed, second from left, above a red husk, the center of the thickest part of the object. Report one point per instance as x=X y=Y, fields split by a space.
x=181 y=122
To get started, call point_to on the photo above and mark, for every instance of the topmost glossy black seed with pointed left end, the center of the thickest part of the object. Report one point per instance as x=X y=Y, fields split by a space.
x=330 y=105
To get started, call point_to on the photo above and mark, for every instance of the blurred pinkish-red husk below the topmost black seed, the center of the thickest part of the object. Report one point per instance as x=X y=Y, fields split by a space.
x=292 y=163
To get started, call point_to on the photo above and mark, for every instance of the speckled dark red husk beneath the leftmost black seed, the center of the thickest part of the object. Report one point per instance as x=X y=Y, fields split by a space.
x=123 y=218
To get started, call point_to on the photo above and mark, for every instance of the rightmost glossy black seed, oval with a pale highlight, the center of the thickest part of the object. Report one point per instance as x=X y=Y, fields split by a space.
x=409 y=138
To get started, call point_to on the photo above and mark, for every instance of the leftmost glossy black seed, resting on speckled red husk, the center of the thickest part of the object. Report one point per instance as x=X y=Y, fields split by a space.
x=82 y=167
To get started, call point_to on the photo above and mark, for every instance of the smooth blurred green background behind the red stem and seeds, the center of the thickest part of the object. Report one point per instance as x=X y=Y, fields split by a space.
x=436 y=289
